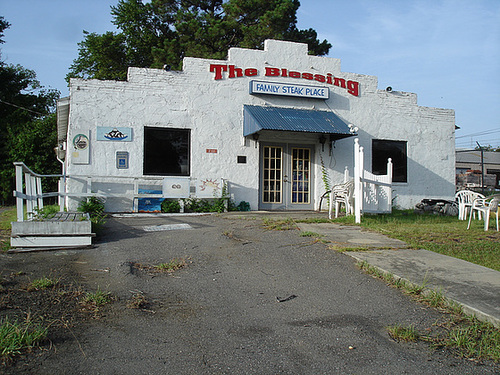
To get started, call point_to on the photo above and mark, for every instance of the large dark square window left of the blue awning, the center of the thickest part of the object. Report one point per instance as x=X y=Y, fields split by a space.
x=166 y=151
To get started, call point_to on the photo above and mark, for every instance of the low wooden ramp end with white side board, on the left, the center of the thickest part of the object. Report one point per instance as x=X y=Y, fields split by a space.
x=62 y=231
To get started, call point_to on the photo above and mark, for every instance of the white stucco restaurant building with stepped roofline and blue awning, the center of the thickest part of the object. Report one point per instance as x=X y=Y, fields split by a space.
x=272 y=123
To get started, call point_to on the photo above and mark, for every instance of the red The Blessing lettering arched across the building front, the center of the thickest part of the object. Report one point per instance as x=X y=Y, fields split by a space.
x=232 y=71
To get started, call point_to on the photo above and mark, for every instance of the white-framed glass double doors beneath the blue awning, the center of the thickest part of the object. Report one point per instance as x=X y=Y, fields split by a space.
x=285 y=177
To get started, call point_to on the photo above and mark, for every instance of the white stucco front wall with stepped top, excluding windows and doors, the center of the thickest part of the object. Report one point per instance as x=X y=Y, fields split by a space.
x=213 y=110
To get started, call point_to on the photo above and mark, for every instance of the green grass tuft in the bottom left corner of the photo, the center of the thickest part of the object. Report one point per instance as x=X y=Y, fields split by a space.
x=18 y=336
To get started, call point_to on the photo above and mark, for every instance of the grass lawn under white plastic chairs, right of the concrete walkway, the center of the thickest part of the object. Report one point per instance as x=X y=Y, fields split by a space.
x=441 y=234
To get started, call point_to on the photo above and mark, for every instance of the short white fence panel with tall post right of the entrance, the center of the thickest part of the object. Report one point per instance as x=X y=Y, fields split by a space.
x=372 y=193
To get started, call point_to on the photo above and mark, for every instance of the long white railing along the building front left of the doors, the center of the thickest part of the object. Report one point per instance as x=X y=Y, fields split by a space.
x=29 y=193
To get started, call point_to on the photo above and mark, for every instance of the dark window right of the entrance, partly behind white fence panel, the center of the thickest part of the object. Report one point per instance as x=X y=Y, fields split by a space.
x=396 y=150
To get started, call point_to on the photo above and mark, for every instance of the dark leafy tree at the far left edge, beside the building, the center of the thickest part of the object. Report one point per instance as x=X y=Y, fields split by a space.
x=22 y=101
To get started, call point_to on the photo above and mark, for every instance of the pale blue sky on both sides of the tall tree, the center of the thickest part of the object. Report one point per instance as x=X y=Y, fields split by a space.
x=445 y=51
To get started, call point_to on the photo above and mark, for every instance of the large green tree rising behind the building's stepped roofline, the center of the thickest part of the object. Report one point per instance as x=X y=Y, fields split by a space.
x=163 y=32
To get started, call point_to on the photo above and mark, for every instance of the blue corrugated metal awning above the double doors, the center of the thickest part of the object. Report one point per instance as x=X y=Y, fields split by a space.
x=256 y=118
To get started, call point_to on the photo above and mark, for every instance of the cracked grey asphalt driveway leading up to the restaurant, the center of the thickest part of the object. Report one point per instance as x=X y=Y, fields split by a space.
x=222 y=314
